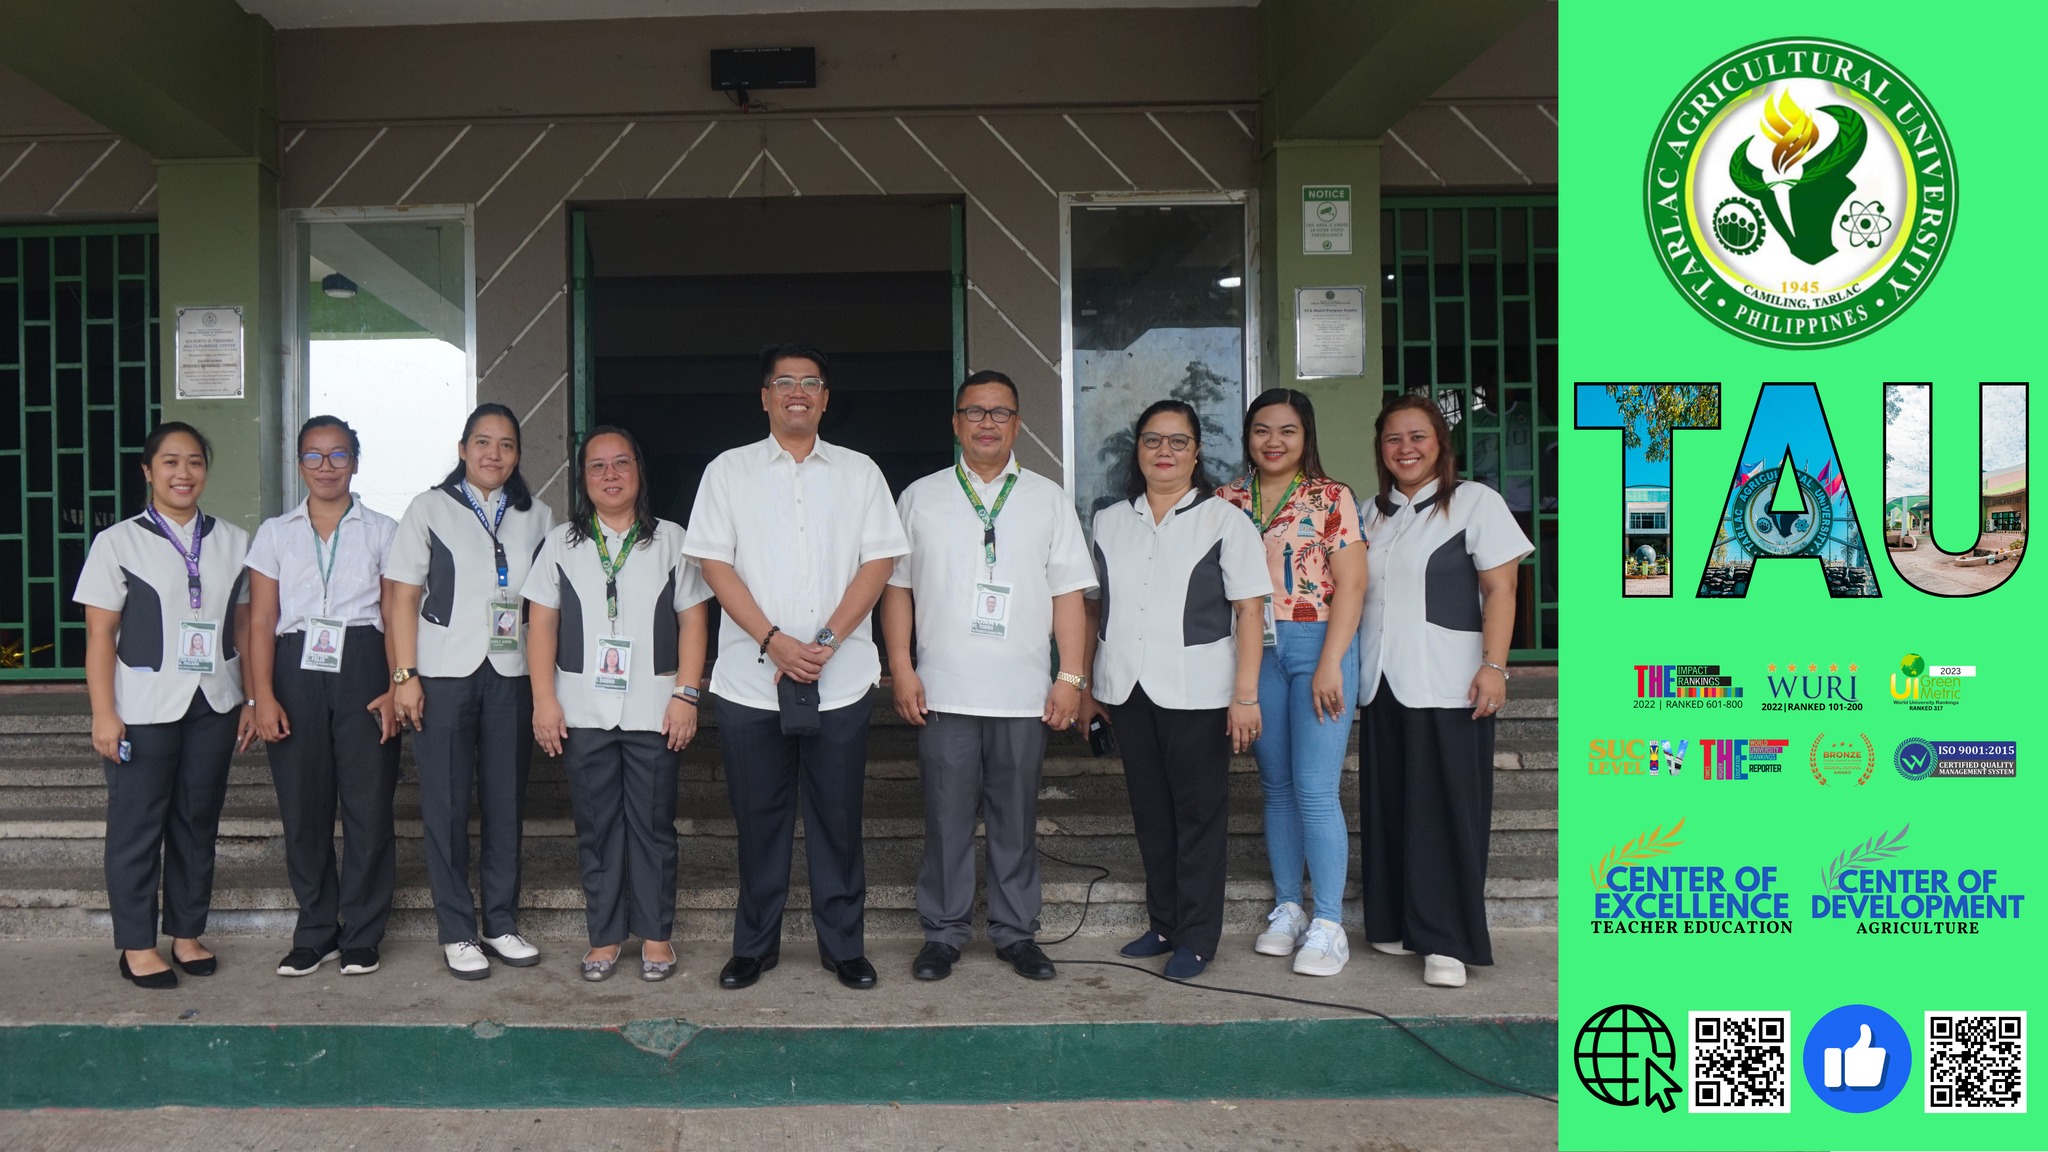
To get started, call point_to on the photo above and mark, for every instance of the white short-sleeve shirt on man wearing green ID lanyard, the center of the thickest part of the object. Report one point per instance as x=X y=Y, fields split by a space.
x=1039 y=552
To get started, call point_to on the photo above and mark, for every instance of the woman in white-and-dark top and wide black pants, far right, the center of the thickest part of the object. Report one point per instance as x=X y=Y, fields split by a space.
x=1433 y=651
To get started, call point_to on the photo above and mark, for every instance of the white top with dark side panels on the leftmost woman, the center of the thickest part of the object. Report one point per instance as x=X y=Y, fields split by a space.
x=140 y=575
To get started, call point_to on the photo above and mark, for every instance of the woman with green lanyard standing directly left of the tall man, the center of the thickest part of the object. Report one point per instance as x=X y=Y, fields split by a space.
x=617 y=655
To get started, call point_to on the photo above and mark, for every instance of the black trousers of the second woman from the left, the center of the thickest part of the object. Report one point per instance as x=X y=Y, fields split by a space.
x=333 y=759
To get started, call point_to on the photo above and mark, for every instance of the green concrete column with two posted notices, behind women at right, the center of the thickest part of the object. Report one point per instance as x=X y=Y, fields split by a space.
x=1345 y=407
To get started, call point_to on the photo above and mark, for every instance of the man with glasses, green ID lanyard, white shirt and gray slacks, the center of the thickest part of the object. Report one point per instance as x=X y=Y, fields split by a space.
x=996 y=571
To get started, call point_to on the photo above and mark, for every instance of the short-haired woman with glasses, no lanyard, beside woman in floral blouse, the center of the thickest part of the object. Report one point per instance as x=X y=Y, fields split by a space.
x=1179 y=620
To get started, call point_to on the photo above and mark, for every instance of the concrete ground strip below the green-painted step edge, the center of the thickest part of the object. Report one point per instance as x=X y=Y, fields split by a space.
x=1498 y=1124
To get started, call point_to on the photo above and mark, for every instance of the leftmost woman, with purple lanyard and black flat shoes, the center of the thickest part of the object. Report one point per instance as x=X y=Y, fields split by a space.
x=165 y=671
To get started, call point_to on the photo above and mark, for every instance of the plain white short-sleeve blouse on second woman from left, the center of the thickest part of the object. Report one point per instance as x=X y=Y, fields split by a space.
x=286 y=552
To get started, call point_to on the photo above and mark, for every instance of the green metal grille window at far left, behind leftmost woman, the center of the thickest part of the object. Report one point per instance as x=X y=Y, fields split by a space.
x=79 y=370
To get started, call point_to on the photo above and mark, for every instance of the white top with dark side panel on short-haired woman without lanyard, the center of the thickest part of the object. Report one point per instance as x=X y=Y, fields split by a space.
x=1166 y=598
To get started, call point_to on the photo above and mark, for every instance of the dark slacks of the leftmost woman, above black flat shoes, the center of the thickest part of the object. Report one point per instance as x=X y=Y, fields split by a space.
x=163 y=815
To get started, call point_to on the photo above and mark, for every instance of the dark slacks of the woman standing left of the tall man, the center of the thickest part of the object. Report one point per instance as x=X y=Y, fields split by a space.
x=624 y=790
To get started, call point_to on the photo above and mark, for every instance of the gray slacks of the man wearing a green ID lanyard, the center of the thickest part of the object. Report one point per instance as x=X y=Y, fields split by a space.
x=990 y=764
